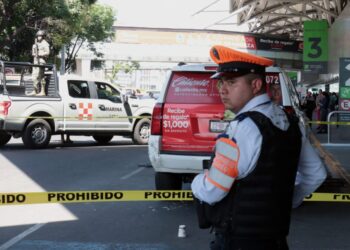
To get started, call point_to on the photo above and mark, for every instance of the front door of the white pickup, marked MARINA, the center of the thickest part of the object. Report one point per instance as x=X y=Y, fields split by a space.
x=109 y=108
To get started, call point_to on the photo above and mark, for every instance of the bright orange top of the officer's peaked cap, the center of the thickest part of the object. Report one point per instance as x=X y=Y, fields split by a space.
x=221 y=54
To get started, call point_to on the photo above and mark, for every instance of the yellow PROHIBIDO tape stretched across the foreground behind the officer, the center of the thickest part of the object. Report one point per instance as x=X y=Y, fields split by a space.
x=131 y=195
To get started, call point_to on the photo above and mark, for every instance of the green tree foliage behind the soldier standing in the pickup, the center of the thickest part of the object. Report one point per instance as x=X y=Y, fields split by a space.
x=67 y=22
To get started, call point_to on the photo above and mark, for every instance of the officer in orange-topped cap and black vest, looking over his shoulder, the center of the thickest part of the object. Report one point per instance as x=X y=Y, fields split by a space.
x=248 y=192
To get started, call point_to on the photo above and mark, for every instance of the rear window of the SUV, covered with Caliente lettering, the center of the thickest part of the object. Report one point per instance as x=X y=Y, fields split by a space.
x=192 y=88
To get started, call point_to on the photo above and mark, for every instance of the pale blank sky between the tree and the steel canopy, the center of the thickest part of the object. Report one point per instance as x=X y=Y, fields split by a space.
x=173 y=14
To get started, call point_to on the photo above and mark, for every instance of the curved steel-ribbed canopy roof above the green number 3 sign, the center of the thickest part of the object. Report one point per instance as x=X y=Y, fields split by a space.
x=272 y=17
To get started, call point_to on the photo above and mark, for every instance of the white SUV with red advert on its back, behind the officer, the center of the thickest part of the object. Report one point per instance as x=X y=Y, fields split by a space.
x=189 y=115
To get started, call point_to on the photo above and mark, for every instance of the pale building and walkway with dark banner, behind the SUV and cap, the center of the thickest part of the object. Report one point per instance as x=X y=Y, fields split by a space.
x=158 y=50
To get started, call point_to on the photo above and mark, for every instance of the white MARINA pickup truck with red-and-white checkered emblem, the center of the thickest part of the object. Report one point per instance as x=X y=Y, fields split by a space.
x=73 y=105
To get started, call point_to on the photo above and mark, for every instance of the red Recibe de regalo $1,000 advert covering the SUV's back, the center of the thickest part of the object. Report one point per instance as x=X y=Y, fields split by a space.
x=192 y=103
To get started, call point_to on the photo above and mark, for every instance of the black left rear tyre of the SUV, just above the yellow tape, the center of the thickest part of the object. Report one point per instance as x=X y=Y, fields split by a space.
x=168 y=181
